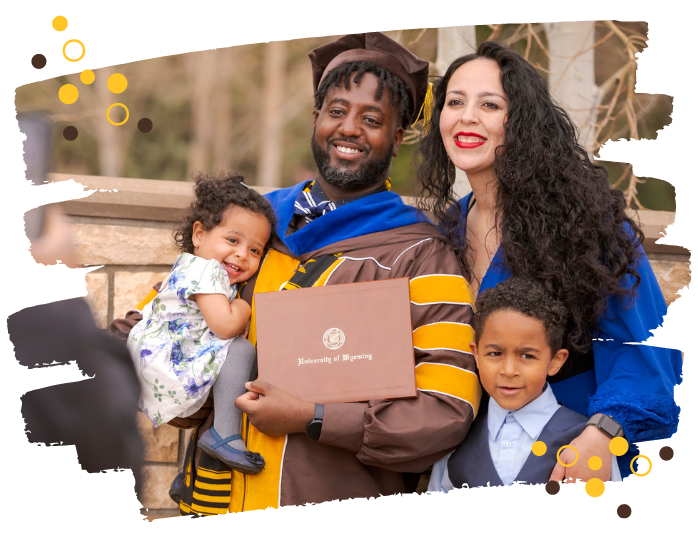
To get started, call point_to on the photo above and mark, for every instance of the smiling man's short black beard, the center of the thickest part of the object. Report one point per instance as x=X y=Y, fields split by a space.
x=370 y=174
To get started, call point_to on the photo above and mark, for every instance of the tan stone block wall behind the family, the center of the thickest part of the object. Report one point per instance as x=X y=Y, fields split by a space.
x=125 y=228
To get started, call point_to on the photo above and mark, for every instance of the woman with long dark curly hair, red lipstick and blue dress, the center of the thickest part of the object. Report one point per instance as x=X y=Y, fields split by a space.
x=540 y=209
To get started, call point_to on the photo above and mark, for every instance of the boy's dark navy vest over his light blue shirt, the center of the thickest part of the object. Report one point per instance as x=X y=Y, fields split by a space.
x=471 y=464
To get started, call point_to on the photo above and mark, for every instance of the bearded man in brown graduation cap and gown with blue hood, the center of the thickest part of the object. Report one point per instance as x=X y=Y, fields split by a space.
x=342 y=227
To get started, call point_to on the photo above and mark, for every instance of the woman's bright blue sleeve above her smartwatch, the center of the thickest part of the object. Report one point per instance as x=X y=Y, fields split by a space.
x=635 y=381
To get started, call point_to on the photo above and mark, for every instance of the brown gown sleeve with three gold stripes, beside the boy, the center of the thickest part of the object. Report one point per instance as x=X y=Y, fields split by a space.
x=409 y=435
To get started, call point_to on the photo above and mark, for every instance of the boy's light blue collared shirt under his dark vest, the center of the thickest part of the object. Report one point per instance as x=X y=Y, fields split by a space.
x=511 y=434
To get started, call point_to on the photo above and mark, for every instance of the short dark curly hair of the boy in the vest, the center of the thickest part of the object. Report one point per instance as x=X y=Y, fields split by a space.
x=527 y=297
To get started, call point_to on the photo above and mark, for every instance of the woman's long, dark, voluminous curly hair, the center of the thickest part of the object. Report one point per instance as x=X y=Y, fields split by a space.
x=561 y=224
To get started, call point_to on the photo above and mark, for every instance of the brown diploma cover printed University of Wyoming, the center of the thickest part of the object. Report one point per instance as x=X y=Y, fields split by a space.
x=338 y=344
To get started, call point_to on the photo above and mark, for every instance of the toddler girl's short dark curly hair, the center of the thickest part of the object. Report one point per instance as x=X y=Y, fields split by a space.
x=215 y=192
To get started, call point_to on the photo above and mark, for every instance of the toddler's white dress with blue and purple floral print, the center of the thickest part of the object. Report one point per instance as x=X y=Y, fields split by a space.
x=177 y=357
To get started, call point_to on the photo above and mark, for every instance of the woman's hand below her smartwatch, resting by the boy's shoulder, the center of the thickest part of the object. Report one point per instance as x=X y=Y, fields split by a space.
x=592 y=442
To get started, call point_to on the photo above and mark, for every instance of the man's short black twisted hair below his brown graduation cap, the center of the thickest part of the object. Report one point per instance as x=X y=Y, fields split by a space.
x=399 y=94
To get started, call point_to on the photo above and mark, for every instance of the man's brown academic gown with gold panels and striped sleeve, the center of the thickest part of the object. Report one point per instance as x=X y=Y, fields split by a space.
x=365 y=448
